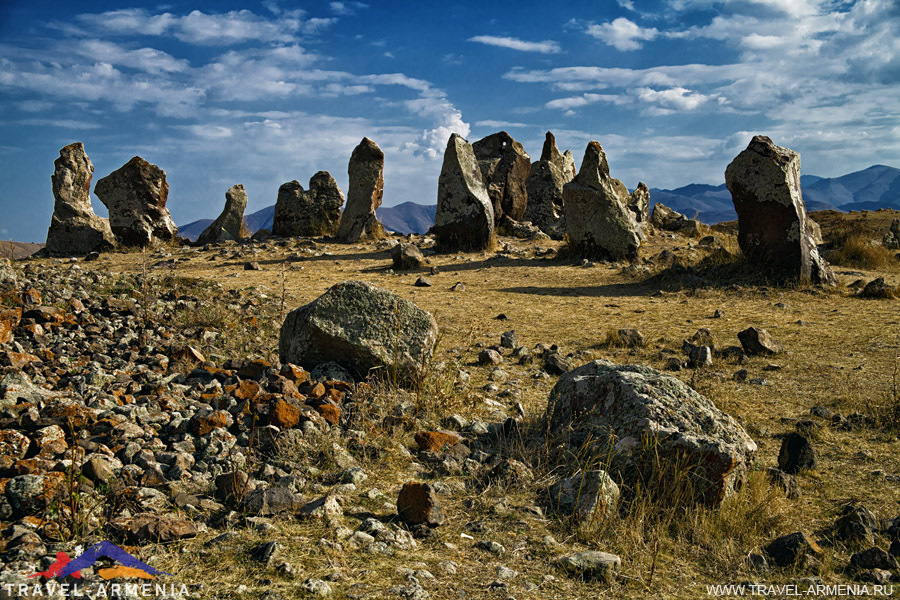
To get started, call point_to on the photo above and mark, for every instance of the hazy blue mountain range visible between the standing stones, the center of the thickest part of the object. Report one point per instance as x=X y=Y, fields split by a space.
x=869 y=189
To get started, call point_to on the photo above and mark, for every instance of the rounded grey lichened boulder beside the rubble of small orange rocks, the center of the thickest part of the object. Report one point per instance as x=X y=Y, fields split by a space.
x=360 y=327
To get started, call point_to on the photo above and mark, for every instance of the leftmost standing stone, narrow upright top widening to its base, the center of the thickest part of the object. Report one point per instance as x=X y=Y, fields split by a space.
x=74 y=228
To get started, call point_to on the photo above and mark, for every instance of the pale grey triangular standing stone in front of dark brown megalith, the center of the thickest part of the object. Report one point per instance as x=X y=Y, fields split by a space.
x=465 y=216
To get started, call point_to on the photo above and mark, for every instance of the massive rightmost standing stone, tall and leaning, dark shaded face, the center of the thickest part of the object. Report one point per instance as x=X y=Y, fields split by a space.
x=773 y=229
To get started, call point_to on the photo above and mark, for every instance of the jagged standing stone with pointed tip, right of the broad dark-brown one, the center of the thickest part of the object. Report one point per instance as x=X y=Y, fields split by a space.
x=544 y=186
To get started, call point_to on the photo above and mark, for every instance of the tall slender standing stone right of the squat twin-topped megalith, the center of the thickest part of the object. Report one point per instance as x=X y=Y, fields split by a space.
x=366 y=171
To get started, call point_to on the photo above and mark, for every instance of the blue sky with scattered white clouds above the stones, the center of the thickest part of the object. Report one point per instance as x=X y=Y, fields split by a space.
x=218 y=93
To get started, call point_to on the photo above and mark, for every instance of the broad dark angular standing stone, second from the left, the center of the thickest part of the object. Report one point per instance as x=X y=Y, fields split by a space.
x=136 y=196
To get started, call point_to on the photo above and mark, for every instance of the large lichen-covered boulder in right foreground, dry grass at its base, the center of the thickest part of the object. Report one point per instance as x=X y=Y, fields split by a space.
x=654 y=428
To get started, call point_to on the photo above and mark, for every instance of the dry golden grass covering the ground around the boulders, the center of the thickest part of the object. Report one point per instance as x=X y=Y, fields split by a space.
x=840 y=353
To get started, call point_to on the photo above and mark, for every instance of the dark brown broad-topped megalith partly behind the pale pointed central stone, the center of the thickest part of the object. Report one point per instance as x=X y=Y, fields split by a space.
x=504 y=166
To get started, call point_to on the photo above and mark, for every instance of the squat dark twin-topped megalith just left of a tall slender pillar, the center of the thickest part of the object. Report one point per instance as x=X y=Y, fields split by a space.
x=308 y=213
